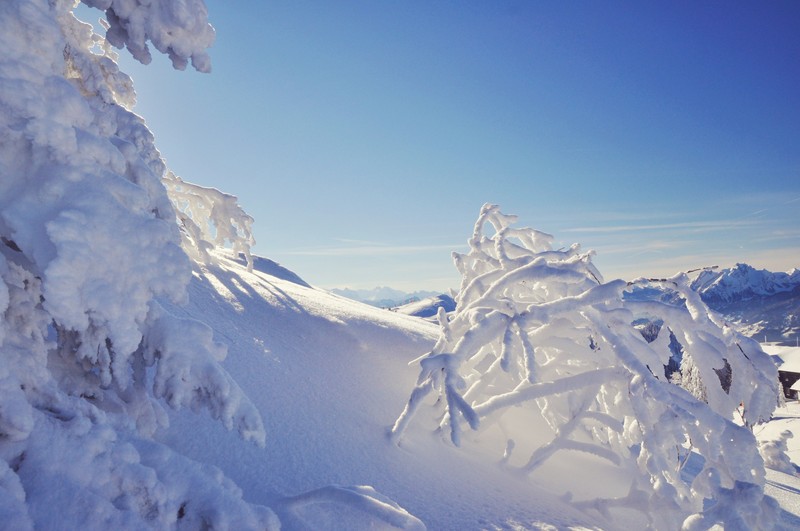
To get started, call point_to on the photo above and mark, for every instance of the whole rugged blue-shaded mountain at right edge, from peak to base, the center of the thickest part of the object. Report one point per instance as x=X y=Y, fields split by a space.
x=762 y=304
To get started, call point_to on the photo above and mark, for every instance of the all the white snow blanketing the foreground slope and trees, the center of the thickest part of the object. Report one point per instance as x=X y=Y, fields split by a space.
x=154 y=374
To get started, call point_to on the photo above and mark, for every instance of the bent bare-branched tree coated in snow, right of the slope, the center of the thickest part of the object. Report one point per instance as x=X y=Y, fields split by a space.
x=538 y=338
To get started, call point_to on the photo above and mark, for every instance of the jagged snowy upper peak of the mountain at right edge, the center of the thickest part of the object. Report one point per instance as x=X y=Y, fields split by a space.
x=743 y=282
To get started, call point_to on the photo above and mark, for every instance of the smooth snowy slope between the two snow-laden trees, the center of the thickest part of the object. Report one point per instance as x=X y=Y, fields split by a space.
x=329 y=376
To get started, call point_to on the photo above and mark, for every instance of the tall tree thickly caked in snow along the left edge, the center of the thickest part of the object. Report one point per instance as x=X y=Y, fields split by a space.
x=90 y=251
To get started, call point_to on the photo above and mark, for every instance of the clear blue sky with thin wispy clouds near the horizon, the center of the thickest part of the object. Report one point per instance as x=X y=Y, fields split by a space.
x=364 y=137
